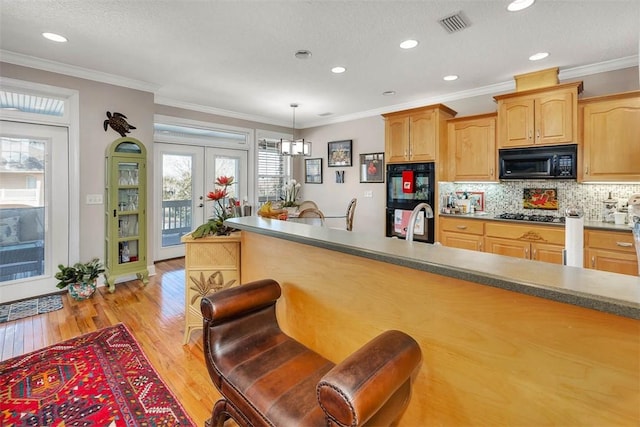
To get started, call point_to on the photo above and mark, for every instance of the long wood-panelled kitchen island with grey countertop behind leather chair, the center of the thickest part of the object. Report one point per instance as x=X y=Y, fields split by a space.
x=505 y=341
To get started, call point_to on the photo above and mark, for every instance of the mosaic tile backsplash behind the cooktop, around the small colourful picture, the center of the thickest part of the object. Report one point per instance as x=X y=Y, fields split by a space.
x=506 y=196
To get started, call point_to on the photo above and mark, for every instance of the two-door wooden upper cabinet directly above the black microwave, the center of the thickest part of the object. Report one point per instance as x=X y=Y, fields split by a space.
x=545 y=116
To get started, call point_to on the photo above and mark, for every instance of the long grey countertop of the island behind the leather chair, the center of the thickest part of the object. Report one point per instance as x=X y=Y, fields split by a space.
x=608 y=292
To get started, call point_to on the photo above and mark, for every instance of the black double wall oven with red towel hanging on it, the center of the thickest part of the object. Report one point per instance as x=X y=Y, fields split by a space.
x=407 y=186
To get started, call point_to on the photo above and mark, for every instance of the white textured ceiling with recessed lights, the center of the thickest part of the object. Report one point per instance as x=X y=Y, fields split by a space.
x=236 y=58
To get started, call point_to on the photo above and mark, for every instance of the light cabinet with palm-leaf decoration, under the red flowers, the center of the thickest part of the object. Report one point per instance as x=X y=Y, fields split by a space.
x=211 y=263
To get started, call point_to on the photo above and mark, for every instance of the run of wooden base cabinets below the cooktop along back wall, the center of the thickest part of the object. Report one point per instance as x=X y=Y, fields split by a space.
x=606 y=250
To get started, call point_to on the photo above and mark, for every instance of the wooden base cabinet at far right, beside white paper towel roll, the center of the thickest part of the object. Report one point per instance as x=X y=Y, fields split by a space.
x=611 y=251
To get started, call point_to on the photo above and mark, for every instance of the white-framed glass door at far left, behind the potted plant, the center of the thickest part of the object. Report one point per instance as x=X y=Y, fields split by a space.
x=34 y=208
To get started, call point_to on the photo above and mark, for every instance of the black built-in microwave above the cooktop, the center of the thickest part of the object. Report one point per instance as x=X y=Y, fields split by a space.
x=550 y=162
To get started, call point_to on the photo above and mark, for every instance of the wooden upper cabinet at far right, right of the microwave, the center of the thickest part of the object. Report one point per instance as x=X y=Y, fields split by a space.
x=611 y=138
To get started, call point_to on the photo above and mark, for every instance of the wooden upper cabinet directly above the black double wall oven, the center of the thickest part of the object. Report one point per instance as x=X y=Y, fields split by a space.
x=417 y=135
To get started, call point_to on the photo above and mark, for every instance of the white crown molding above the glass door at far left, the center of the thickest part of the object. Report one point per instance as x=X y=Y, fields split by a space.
x=72 y=70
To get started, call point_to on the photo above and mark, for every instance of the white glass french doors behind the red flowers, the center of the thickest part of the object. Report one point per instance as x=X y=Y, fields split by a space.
x=184 y=175
